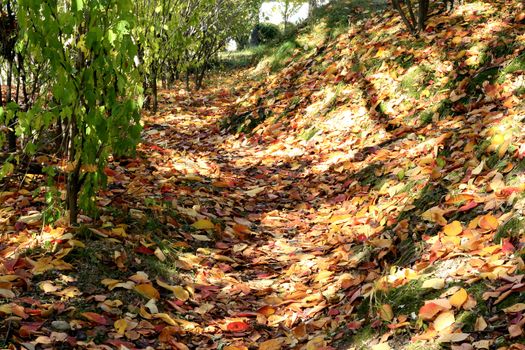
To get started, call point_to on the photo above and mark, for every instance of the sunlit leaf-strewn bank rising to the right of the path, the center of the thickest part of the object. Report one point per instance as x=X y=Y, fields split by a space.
x=410 y=154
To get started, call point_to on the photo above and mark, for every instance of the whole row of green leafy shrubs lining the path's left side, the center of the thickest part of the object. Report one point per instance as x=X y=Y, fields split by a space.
x=76 y=71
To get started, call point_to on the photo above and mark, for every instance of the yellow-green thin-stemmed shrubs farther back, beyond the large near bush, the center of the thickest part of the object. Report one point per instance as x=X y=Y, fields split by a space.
x=180 y=39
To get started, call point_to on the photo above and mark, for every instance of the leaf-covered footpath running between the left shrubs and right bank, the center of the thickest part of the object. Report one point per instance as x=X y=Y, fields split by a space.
x=267 y=270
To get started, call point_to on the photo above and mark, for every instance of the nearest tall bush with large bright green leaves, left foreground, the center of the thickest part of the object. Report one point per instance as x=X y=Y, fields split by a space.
x=88 y=48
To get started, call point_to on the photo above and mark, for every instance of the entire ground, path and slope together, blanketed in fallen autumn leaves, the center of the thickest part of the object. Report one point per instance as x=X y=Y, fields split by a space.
x=368 y=194
